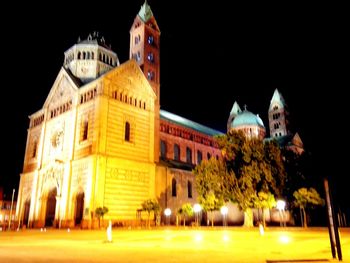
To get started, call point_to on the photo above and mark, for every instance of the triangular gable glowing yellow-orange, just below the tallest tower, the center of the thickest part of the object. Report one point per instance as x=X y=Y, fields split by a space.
x=129 y=78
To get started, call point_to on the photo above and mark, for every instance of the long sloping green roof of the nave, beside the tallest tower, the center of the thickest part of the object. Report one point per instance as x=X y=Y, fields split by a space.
x=165 y=115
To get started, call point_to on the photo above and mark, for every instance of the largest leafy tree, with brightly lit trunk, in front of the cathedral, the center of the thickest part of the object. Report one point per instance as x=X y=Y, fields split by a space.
x=251 y=166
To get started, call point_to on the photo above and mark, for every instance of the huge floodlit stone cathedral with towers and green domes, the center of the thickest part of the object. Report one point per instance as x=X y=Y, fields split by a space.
x=101 y=139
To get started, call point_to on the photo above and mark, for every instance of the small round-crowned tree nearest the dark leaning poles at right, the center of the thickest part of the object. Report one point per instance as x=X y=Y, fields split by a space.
x=306 y=198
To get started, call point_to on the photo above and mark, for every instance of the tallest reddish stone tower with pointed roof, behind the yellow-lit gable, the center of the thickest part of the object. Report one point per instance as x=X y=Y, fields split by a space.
x=144 y=48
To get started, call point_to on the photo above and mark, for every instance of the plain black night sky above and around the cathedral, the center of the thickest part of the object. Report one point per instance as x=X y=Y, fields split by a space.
x=212 y=53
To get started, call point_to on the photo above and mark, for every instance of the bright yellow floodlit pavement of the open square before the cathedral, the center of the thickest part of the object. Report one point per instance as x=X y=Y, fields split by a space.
x=171 y=245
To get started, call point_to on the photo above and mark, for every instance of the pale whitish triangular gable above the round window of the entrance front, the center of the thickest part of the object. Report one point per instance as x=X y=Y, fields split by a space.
x=62 y=90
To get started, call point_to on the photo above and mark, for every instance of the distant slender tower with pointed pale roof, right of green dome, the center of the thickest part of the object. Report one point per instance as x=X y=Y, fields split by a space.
x=278 y=116
